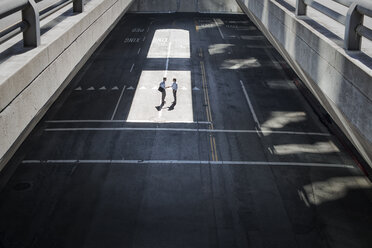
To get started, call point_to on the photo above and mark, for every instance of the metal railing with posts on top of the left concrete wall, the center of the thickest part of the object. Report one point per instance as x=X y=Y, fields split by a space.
x=30 y=24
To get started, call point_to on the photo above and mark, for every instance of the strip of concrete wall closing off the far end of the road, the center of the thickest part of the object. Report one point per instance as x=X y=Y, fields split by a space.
x=213 y=6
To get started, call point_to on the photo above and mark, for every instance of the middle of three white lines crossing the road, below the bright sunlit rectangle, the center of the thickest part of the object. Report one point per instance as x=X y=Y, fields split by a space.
x=182 y=130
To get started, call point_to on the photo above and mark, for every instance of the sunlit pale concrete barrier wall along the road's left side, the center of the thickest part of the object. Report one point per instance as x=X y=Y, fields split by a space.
x=31 y=78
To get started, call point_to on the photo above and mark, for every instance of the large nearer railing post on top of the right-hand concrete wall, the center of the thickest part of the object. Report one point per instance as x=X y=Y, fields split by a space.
x=353 y=40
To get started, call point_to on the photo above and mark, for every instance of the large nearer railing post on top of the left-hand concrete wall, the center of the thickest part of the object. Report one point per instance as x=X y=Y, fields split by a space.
x=31 y=35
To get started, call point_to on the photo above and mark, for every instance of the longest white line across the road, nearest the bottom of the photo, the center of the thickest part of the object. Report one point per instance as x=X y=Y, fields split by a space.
x=201 y=162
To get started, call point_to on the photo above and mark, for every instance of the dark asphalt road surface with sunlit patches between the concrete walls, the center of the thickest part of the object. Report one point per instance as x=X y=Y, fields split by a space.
x=241 y=159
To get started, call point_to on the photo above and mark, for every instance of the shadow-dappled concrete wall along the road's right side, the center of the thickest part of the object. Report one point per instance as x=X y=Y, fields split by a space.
x=340 y=80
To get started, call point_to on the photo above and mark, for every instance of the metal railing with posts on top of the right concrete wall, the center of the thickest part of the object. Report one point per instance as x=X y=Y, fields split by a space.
x=353 y=21
